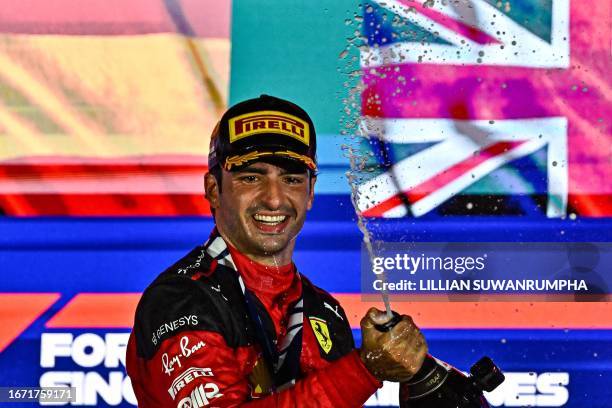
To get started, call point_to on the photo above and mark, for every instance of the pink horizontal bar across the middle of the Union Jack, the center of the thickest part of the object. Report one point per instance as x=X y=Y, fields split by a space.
x=482 y=92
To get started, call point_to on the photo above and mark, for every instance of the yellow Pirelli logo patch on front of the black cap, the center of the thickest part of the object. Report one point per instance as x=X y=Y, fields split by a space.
x=253 y=123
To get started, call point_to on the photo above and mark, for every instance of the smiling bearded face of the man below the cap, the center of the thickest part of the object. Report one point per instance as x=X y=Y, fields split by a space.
x=261 y=208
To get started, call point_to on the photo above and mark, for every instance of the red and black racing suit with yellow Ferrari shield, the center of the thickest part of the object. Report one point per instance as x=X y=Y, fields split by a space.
x=194 y=344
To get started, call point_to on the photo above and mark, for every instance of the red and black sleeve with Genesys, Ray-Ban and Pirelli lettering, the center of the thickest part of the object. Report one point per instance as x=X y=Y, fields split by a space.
x=177 y=355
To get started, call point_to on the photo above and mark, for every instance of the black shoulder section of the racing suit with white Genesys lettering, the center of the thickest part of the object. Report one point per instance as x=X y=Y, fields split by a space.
x=193 y=294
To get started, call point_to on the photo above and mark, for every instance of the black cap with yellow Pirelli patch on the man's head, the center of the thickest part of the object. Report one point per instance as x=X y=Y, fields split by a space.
x=263 y=128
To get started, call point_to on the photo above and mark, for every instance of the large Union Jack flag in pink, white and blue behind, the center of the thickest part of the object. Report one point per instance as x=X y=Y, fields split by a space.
x=486 y=107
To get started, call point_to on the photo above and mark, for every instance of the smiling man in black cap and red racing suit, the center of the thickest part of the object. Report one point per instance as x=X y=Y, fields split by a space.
x=233 y=323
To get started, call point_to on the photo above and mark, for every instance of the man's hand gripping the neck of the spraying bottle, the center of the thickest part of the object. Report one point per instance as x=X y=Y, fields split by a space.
x=395 y=355
